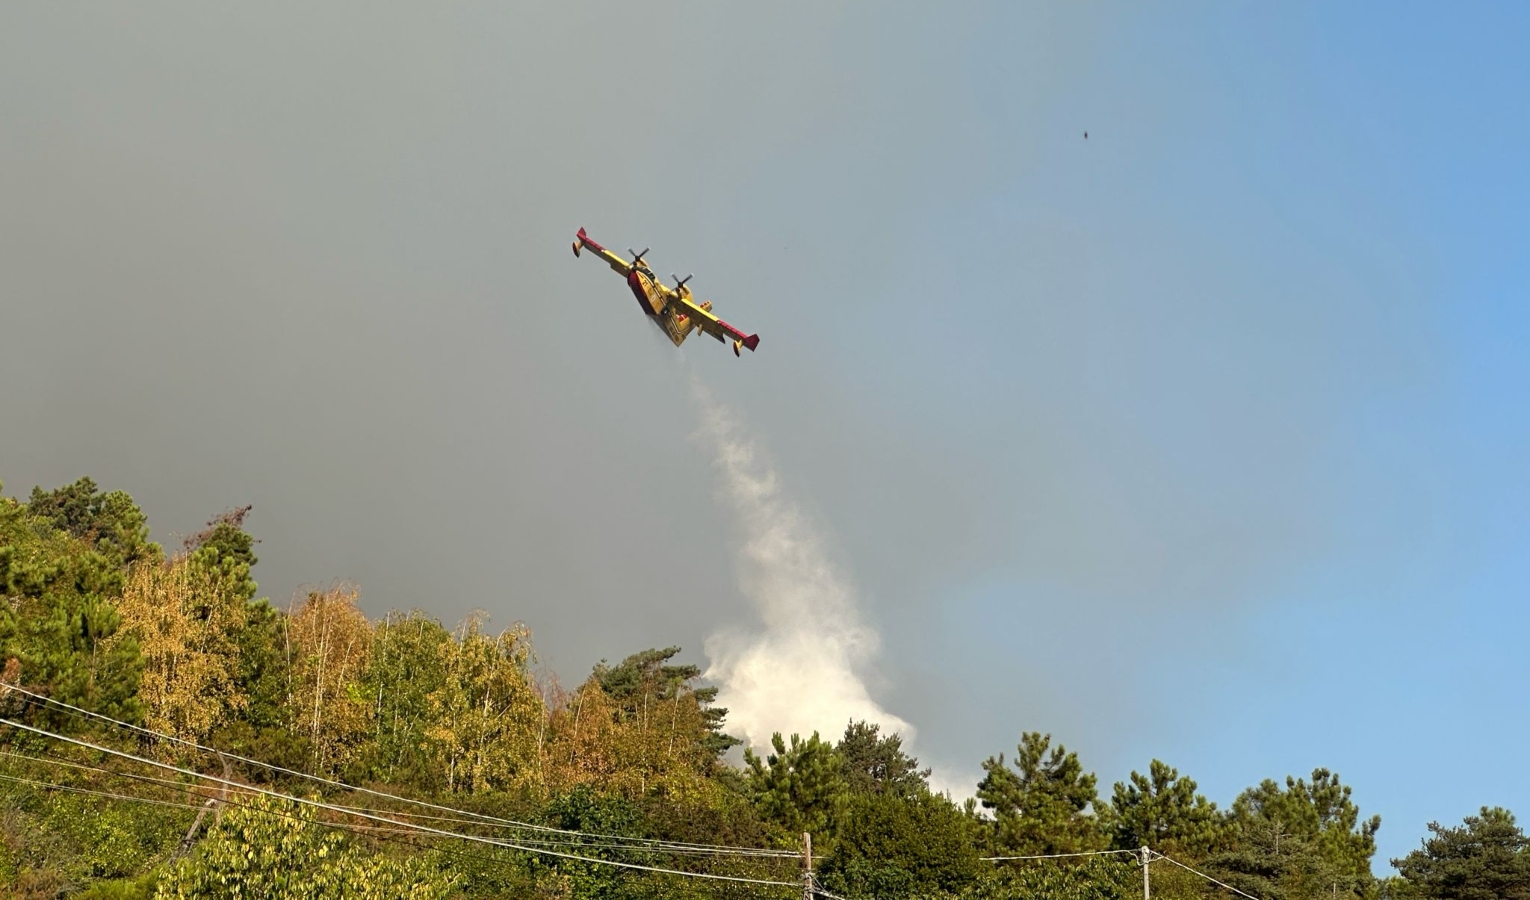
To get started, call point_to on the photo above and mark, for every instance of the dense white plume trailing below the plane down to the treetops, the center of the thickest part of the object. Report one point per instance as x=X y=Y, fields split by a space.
x=801 y=671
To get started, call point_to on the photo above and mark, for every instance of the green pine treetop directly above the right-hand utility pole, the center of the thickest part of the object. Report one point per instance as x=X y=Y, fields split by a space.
x=1164 y=812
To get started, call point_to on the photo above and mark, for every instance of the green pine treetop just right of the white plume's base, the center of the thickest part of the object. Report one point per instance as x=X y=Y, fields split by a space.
x=1041 y=806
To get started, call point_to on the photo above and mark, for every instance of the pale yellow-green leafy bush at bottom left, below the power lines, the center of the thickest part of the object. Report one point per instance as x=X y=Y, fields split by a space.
x=276 y=849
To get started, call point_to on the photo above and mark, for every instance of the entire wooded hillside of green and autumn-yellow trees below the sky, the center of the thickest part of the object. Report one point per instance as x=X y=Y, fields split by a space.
x=99 y=619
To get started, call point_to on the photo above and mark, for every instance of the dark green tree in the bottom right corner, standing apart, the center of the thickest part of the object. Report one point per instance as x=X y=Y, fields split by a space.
x=1488 y=858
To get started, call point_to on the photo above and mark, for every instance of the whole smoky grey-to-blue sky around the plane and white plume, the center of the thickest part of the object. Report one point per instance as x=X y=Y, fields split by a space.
x=1203 y=439
